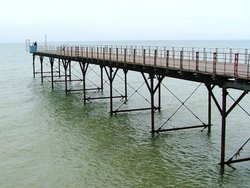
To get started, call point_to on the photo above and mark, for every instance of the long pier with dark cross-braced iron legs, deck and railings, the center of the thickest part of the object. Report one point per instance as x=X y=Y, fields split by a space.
x=184 y=67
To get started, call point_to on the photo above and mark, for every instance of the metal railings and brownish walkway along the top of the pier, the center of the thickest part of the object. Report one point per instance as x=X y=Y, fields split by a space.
x=217 y=61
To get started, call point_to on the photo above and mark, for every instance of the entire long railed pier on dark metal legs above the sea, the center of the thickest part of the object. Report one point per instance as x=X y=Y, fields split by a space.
x=227 y=69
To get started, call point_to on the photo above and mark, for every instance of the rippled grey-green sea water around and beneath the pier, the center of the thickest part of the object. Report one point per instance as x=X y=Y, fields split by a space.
x=50 y=139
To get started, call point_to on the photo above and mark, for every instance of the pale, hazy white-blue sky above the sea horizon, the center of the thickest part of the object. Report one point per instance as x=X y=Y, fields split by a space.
x=111 y=20
